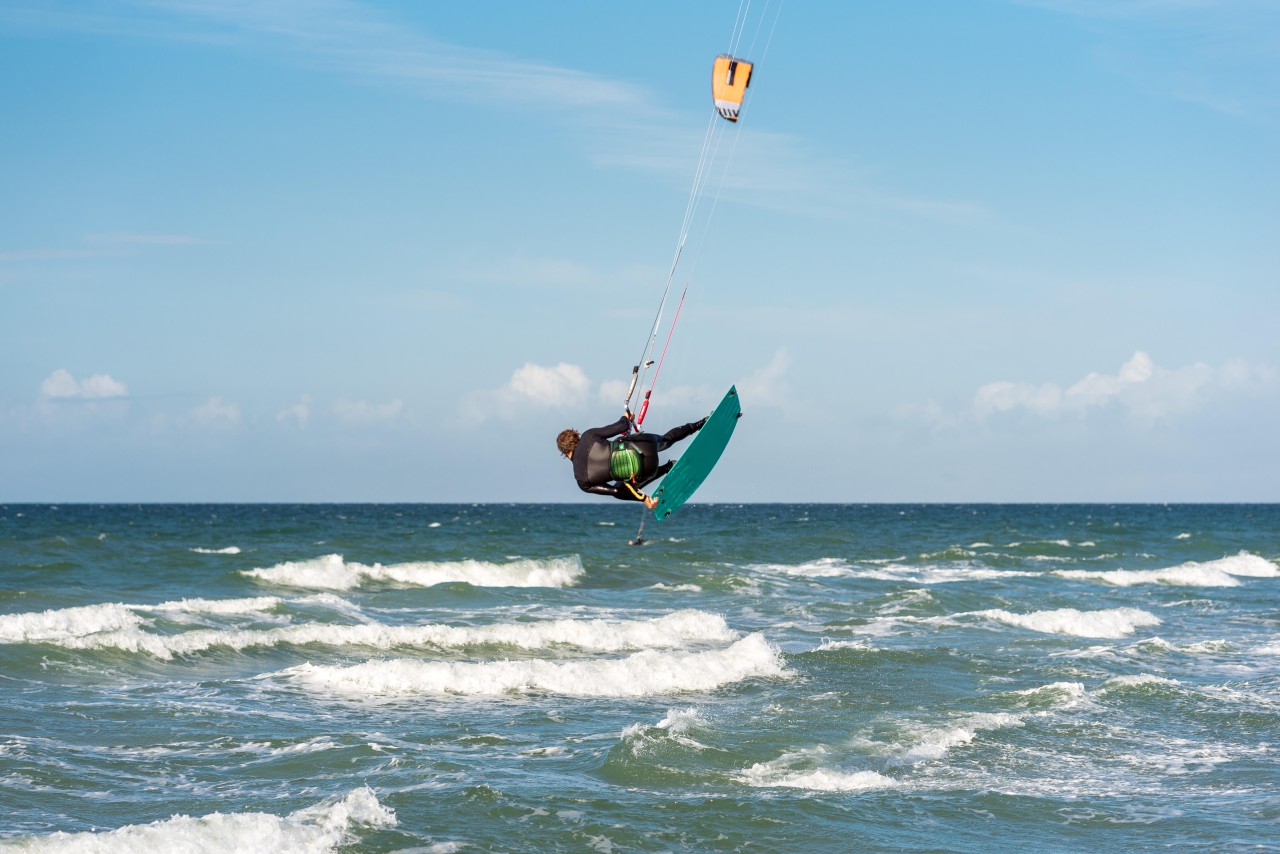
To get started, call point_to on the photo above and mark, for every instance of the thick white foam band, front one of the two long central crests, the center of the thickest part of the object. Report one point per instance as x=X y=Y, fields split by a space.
x=643 y=674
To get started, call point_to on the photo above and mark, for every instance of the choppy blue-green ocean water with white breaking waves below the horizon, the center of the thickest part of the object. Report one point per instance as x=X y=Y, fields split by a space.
x=510 y=678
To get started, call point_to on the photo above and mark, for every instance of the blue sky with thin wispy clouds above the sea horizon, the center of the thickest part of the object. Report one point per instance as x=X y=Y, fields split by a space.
x=342 y=252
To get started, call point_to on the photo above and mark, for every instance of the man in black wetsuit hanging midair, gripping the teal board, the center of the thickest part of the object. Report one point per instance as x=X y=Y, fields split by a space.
x=623 y=468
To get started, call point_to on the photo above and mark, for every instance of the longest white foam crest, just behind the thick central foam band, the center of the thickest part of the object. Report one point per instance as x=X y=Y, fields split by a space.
x=597 y=636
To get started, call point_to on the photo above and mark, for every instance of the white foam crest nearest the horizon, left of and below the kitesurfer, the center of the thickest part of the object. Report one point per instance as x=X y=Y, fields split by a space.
x=332 y=573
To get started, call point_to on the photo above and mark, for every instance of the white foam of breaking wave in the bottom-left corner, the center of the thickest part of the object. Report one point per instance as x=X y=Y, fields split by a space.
x=313 y=830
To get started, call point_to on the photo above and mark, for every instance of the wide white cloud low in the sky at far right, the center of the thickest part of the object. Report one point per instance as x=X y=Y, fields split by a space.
x=1141 y=389
